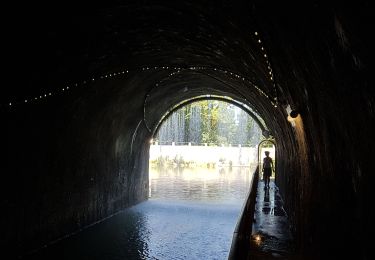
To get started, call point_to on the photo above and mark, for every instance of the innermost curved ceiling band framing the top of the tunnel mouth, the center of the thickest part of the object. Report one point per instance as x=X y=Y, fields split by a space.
x=173 y=91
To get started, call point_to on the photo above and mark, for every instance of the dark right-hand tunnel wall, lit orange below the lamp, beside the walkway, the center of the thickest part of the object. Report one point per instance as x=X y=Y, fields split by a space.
x=322 y=67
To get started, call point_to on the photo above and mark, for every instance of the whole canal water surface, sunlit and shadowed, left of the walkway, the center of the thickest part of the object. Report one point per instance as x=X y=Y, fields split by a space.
x=190 y=214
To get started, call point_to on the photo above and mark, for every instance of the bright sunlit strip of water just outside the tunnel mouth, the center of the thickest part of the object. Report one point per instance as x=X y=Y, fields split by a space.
x=222 y=185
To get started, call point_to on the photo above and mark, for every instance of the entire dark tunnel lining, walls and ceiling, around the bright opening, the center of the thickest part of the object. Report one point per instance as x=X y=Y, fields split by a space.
x=86 y=86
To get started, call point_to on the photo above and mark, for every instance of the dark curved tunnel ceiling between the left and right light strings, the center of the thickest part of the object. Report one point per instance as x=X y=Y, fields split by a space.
x=185 y=46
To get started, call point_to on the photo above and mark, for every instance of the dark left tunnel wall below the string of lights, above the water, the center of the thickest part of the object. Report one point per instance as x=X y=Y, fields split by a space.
x=70 y=163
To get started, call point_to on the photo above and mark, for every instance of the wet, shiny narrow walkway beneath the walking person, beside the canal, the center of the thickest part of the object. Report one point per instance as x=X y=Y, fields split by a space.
x=271 y=236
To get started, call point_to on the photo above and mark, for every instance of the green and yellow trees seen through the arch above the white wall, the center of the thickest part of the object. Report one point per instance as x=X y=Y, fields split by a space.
x=215 y=123
